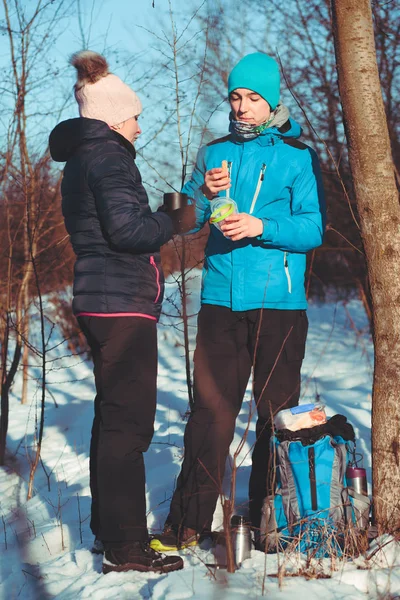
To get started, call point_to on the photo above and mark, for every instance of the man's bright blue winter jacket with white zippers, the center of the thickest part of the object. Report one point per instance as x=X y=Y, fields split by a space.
x=277 y=179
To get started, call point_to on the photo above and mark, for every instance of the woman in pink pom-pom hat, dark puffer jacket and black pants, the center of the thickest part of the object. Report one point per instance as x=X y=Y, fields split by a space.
x=118 y=290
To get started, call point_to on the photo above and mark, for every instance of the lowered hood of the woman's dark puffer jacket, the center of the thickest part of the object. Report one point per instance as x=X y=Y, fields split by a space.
x=68 y=136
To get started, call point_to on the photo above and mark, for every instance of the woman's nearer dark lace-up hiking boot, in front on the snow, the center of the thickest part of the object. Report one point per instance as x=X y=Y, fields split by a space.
x=138 y=556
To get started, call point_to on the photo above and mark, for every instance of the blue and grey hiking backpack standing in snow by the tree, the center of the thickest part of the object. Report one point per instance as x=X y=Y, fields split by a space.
x=312 y=506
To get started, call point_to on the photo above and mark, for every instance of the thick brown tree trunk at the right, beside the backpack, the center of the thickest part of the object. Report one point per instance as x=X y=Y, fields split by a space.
x=379 y=209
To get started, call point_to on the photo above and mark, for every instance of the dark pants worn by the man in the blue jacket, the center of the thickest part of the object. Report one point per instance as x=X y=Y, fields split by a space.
x=228 y=345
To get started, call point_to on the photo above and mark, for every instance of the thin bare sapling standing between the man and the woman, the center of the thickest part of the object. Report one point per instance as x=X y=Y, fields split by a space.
x=183 y=80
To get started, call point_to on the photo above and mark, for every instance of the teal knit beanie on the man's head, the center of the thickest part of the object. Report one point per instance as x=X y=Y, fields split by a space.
x=257 y=72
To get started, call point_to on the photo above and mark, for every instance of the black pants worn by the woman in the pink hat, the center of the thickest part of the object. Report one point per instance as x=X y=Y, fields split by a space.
x=124 y=353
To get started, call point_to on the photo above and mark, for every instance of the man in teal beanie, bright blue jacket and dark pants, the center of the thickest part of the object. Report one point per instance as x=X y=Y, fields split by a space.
x=253 y=313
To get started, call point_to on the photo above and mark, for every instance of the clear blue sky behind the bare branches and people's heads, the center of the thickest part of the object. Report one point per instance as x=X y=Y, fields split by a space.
x=131 y=34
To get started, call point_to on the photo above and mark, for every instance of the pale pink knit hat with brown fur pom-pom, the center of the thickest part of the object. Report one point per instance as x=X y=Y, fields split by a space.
x=100 y=94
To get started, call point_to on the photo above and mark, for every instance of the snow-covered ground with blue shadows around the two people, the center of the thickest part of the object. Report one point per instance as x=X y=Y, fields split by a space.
x=45 y=542
